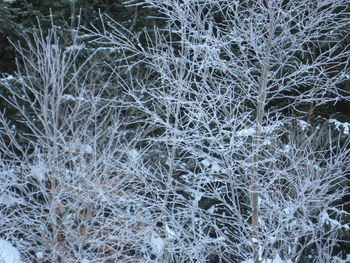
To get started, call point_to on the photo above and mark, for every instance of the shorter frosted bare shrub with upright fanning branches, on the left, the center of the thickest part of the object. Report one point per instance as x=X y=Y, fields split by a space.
x=72 y=187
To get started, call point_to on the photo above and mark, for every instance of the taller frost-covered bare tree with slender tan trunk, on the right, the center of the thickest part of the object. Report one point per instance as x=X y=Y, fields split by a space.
x=241 y=180
